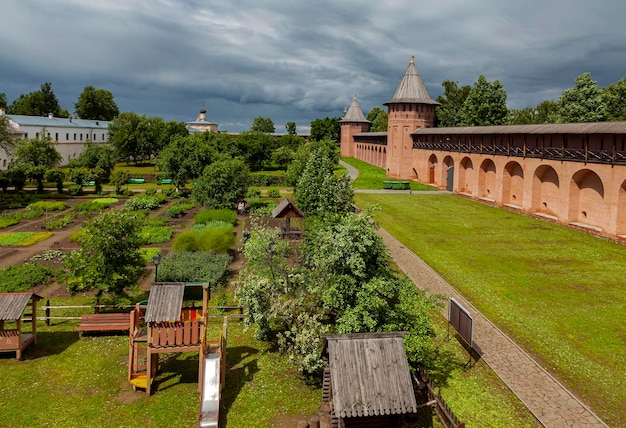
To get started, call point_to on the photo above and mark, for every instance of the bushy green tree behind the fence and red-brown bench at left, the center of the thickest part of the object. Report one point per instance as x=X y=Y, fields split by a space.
x=108 y=260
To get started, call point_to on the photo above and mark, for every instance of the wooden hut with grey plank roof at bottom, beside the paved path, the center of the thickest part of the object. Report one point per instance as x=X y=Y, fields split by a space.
x=368 y=383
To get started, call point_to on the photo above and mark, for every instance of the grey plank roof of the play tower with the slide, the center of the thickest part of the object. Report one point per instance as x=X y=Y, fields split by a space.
x=165 y=302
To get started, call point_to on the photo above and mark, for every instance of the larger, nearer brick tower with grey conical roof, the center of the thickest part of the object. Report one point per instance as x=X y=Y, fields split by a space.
x=410 y=108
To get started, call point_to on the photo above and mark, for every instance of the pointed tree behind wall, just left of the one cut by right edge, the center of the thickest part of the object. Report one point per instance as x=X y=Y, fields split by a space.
x=582 y=103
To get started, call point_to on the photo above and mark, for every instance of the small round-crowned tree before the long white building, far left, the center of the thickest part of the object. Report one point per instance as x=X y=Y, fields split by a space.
x=38 y=155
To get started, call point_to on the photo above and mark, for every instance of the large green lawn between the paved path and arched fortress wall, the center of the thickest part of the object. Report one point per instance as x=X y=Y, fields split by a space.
x=557 y=291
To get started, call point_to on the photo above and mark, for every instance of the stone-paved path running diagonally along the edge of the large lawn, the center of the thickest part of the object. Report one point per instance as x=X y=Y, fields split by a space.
x=552 y=404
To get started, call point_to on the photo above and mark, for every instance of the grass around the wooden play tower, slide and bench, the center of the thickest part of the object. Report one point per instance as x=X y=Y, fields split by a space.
x=68 y=380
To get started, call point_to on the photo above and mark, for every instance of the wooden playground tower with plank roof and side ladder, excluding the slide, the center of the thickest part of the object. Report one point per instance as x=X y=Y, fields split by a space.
x=169 y=327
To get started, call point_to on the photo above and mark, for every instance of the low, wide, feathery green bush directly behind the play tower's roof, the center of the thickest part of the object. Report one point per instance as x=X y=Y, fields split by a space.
x=182 y=266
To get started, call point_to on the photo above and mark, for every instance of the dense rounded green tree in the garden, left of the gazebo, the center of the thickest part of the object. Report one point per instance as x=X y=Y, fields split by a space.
x=222 y=184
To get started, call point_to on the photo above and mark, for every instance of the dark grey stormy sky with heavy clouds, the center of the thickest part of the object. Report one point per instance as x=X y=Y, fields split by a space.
x=297 y=60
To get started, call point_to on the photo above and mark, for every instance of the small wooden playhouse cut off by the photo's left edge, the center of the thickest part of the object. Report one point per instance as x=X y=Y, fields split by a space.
x=12 y=308
